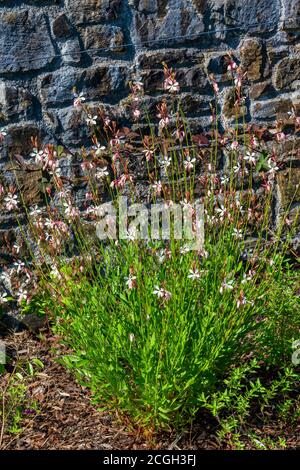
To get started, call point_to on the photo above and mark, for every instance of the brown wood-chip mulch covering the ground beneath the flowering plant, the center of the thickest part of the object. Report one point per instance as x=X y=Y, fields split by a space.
x=68 y=420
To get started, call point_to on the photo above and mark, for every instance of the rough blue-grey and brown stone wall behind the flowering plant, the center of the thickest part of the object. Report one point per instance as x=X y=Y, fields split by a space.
x=47 y=47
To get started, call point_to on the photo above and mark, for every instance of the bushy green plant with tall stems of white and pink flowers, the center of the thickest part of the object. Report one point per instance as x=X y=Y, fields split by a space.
x=161 y=332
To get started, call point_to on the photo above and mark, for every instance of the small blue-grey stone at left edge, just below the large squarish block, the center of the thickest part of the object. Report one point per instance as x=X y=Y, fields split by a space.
x=15 y=102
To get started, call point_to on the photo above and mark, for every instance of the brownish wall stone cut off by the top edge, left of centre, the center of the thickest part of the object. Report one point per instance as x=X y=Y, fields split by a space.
x=91 y=11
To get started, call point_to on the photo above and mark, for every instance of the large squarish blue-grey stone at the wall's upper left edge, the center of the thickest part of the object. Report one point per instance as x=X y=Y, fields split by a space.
x=25 y=43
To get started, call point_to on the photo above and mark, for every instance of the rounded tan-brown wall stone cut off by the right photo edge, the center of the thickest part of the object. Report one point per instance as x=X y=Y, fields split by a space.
x=287 y=73
